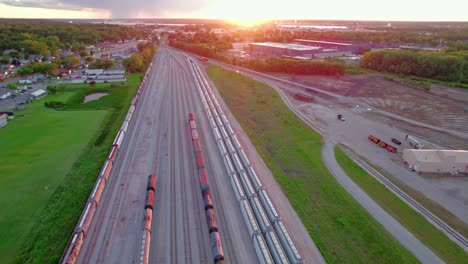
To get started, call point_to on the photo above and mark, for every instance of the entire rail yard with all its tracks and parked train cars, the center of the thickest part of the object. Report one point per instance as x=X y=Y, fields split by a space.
x=207 y=197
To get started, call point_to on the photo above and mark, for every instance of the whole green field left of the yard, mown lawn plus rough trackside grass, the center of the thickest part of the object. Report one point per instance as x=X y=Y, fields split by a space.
x=53 y=160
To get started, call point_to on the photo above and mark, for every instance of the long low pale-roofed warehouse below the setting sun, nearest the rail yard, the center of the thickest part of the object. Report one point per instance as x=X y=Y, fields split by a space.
x=280 y=49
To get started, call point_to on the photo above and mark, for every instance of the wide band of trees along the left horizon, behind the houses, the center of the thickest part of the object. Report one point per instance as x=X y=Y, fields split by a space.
x=13 y=32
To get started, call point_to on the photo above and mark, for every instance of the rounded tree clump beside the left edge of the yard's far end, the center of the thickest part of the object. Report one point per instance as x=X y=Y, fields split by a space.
x=139 y=62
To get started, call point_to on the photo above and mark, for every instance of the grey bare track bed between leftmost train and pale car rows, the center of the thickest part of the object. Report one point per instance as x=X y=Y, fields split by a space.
x=159 y=142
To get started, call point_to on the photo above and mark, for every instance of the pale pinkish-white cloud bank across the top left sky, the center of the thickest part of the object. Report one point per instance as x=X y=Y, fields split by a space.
x=119 y=8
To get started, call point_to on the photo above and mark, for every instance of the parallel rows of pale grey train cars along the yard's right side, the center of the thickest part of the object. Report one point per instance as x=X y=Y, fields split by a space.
x=271 y=240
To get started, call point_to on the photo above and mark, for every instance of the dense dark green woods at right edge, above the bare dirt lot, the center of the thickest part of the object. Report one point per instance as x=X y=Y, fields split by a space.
x=440 y=66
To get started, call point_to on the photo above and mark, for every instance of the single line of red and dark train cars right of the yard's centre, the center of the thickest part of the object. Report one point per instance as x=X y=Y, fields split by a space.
x=215 y=240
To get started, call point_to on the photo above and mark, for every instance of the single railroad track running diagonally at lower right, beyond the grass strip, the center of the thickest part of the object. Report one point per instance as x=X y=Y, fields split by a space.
x=451 y=233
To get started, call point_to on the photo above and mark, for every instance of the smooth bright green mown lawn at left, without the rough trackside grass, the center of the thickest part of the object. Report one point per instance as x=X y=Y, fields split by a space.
x=38 y=150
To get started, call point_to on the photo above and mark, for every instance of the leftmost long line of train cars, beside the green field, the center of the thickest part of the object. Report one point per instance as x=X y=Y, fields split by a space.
x=78 y=236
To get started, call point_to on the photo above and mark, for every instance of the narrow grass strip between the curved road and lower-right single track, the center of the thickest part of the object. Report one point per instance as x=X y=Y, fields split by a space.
x=413 y=221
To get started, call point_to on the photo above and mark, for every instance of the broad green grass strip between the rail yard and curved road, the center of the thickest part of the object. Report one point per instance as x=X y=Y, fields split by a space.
x=343 y=231
